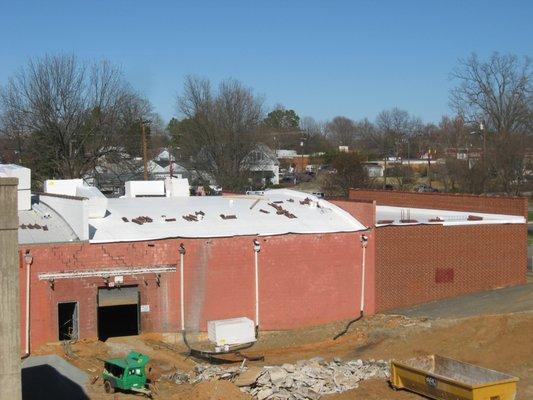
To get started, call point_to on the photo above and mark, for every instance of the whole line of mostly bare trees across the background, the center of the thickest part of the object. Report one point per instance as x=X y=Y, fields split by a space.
x=64 y=117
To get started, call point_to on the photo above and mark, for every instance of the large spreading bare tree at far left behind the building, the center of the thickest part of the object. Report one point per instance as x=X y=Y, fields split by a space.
x=64 y=114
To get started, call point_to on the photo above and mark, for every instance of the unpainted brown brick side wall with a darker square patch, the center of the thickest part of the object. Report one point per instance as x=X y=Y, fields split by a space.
x=421 y=263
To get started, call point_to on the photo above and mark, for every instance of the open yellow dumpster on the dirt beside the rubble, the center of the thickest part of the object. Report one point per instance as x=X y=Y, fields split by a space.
x=443 y=378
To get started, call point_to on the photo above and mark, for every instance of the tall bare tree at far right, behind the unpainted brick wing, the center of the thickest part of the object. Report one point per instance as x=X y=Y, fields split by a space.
x=497 y=94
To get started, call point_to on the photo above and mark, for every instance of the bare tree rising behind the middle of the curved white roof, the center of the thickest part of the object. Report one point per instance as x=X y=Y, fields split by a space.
x=220 y=128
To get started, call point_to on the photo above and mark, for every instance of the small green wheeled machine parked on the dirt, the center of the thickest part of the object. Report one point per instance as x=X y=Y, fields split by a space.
x=126 y=374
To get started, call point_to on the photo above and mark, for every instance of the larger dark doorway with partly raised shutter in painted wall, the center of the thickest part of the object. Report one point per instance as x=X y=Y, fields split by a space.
x=118 y=312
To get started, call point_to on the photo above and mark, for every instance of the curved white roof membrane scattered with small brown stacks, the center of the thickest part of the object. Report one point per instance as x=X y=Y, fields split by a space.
x=203 y=217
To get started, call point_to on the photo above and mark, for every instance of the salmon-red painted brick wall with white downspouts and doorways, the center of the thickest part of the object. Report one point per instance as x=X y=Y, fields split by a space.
x=304 y=280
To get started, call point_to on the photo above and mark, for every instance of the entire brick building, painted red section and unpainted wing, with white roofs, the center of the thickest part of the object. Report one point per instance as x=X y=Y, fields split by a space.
x=102 y=267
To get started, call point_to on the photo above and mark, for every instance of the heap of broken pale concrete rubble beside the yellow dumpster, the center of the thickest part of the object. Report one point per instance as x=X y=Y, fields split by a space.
x=307 y=379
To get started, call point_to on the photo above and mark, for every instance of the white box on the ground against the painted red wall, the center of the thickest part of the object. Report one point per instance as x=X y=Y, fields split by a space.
x=231 y=331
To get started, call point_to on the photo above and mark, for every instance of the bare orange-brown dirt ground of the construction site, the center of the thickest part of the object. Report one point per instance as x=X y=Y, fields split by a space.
x=492 y=330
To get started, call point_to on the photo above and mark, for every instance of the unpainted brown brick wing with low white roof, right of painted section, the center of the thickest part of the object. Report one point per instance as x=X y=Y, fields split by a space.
x=452 y=252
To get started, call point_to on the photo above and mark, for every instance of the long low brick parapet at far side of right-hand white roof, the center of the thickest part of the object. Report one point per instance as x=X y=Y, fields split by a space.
x=444 y=201
